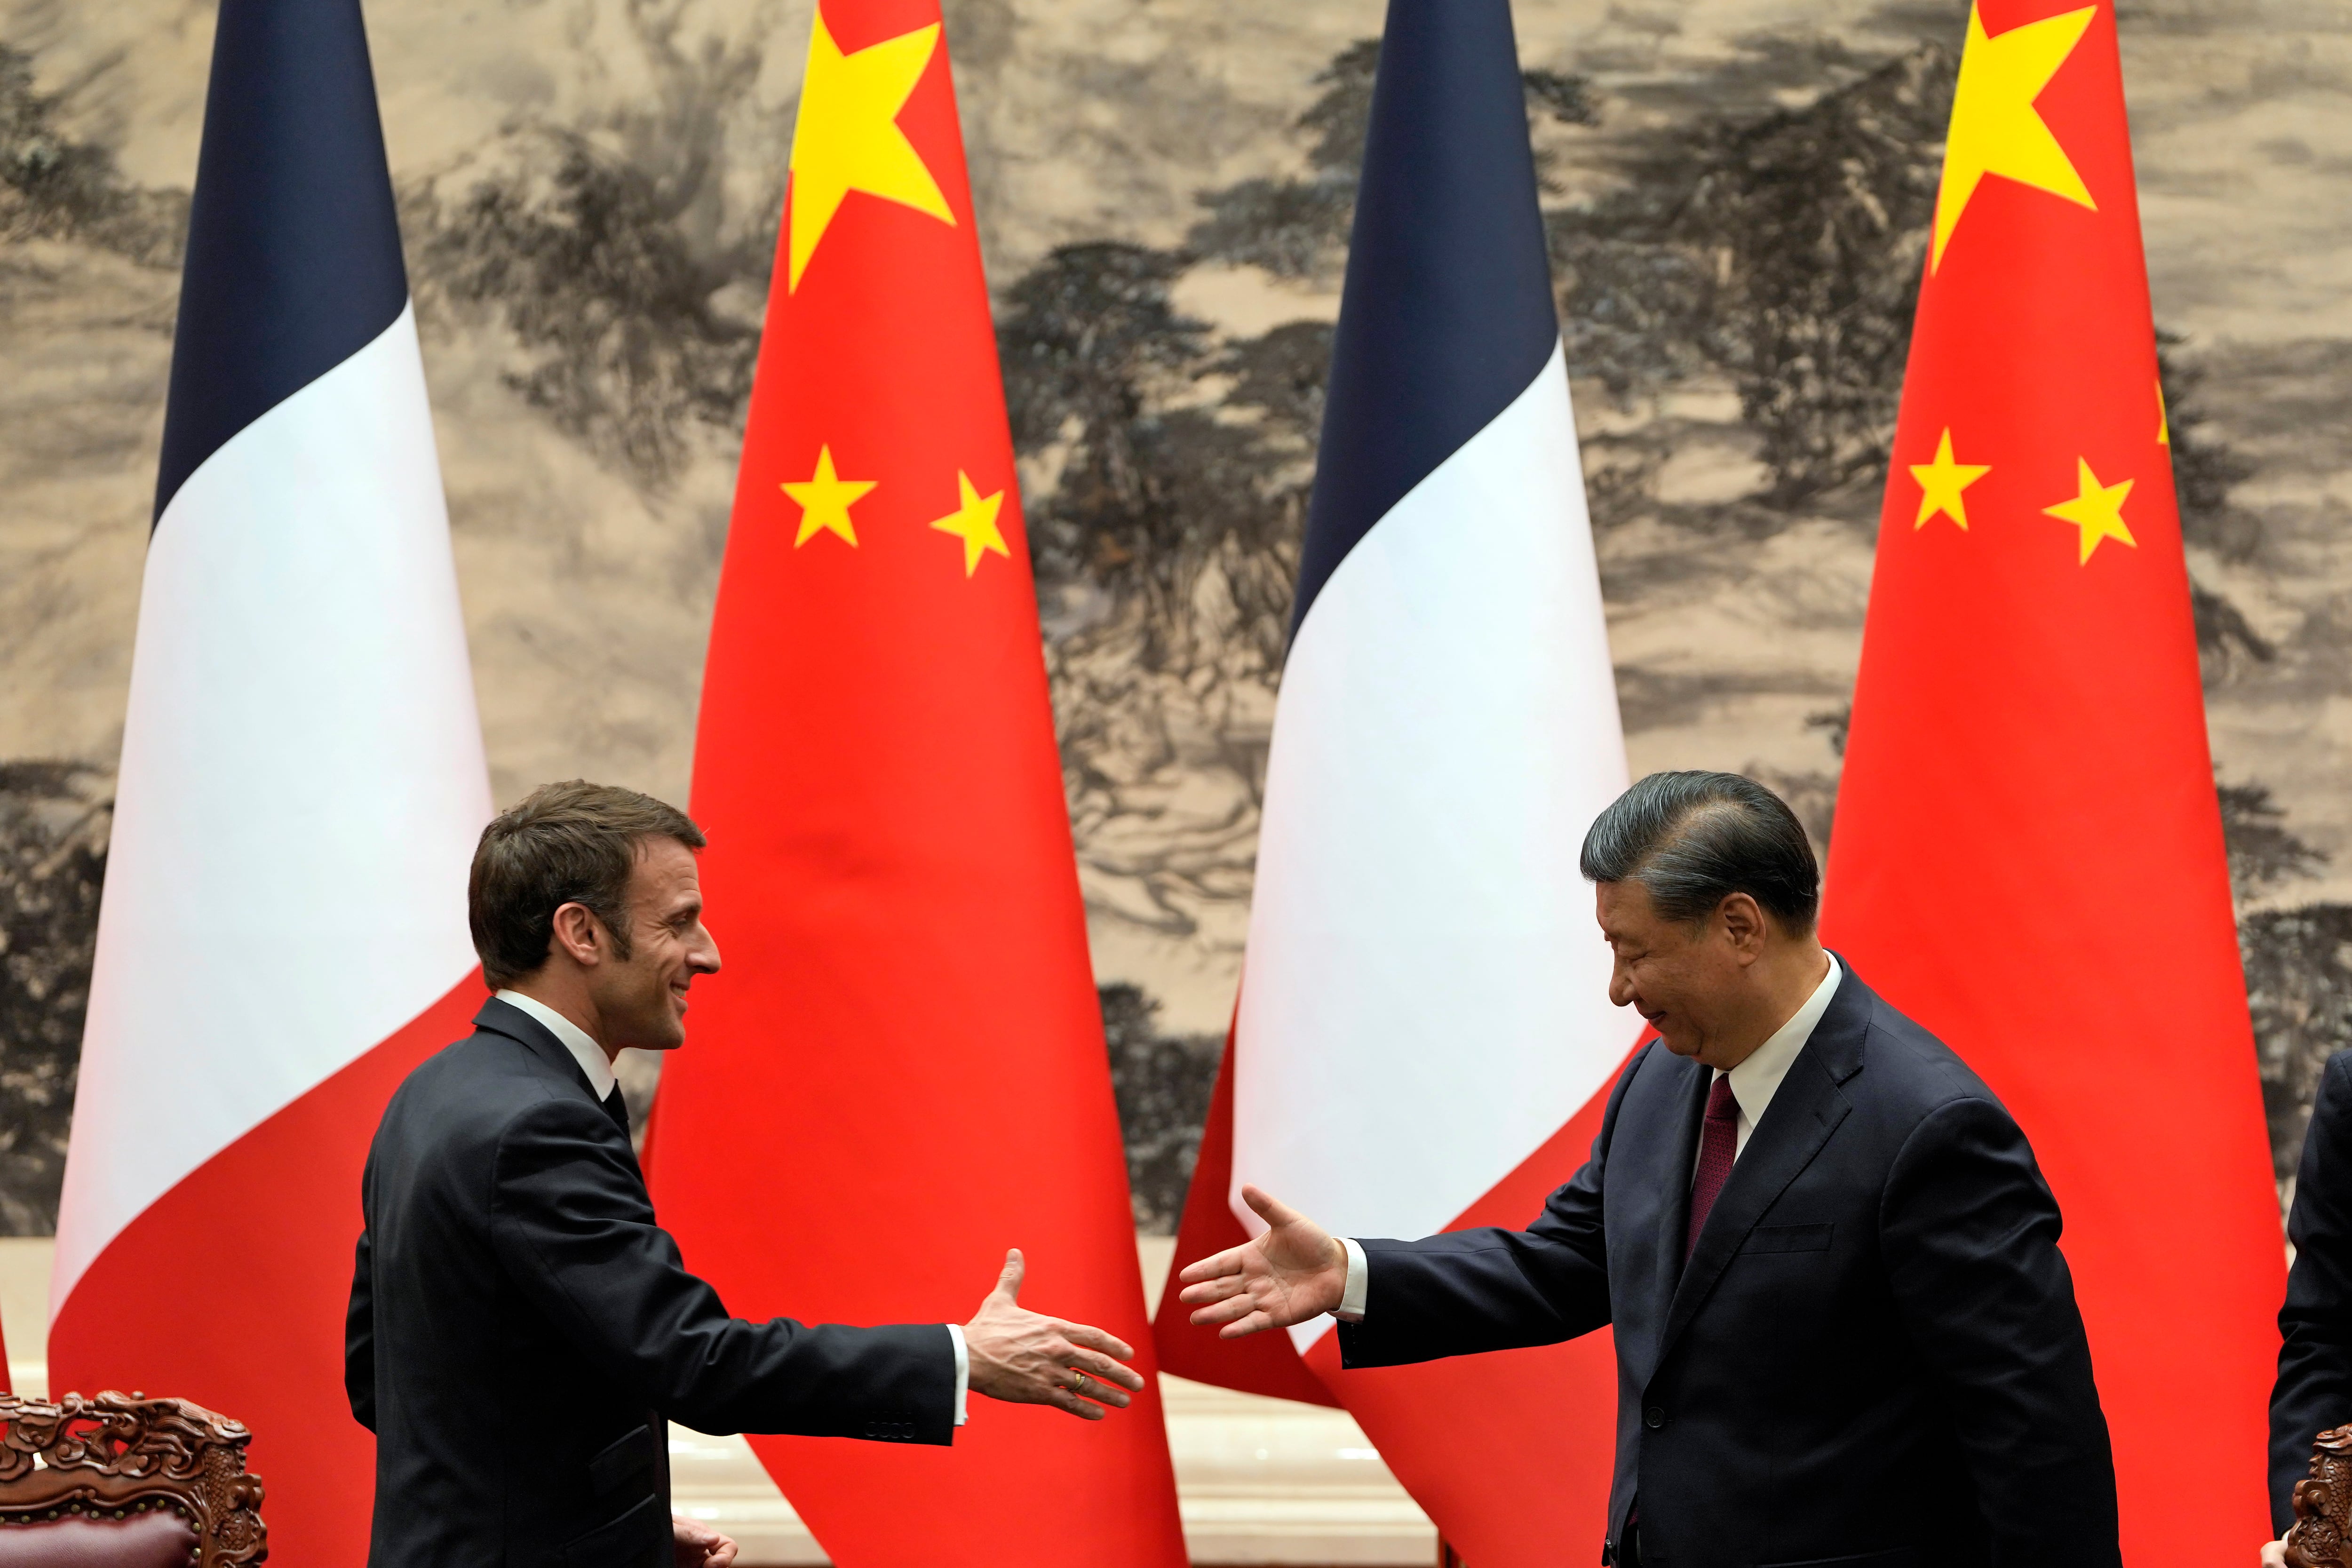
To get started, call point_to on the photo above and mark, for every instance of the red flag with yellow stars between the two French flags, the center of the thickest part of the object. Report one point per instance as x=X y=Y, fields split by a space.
x=902 y=1073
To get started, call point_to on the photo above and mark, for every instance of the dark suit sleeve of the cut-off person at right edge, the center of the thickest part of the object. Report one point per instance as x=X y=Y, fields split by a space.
x=2316 y=1325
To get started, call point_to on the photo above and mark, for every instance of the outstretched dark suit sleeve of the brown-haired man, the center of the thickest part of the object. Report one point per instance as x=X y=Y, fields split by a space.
x=577 y=1235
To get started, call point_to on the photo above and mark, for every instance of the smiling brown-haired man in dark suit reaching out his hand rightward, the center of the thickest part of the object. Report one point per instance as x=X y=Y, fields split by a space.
x=521 y=1327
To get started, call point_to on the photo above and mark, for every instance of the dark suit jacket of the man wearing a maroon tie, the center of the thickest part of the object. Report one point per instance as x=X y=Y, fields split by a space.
x=1873 y=1358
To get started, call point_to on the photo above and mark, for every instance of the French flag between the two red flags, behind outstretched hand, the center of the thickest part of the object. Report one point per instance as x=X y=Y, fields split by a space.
x=1424 y=1033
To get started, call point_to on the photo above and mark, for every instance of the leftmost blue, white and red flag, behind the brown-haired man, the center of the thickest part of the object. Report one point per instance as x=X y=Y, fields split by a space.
x=283 y=930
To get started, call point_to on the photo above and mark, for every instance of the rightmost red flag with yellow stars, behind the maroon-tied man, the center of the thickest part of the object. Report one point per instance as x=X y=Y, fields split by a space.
x=2029 y=852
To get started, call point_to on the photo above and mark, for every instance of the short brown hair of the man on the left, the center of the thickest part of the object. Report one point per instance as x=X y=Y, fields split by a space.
x=570 y=843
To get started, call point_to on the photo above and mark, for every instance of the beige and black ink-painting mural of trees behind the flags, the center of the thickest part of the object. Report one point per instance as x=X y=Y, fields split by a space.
x=1737 y=194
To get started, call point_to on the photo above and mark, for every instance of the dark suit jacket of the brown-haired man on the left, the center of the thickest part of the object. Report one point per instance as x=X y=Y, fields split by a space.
x=521 y=1327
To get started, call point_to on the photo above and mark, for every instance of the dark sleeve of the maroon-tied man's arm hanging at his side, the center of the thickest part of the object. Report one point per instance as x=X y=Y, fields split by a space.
x=1970 y=1233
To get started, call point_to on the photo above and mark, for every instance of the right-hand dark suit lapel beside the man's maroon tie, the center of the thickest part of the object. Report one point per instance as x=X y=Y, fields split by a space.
x=1798 y=1123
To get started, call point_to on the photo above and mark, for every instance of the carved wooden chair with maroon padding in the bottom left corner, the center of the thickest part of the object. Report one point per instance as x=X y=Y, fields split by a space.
x=126 y=1482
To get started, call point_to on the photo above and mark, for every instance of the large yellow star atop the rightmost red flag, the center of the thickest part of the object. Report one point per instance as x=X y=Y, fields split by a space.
x=1996 y=128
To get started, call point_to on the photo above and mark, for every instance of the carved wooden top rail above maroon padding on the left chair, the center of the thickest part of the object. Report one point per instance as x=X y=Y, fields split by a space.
x=109 y=1456
